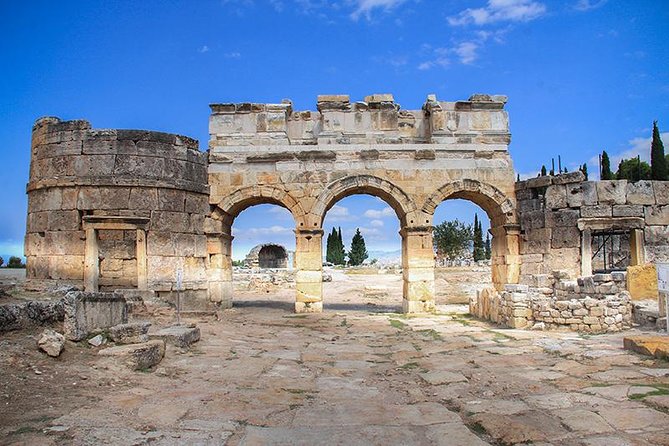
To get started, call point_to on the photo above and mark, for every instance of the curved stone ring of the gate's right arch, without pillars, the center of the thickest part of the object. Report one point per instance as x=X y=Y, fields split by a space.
x=500 y=209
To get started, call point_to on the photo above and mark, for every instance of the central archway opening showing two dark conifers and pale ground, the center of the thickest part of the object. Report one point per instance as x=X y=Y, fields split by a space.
x=368 y=278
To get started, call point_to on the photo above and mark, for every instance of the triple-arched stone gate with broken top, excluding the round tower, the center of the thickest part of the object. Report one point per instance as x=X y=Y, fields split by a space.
x=306 y=161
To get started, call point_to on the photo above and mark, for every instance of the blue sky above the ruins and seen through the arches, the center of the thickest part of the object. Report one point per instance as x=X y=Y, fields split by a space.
x=581 y=75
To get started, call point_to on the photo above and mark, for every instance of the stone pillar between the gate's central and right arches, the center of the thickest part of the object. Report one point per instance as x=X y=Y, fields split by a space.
x=417 y=269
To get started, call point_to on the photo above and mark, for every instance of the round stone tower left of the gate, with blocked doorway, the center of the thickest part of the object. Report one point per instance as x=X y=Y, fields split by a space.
x=79 y=173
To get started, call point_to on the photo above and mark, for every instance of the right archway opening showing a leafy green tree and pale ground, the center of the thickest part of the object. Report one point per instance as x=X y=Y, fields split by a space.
x=463 y=251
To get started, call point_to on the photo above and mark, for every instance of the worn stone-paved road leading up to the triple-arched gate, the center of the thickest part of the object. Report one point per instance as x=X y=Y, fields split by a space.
x=263 y=375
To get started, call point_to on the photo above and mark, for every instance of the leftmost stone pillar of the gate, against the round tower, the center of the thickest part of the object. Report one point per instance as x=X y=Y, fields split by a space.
x=219 y=248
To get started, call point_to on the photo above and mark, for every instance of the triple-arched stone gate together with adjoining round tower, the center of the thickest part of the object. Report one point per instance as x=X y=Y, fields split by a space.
x=128 y=208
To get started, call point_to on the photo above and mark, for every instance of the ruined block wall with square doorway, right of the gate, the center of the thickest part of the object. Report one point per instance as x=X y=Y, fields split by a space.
x=556 y=212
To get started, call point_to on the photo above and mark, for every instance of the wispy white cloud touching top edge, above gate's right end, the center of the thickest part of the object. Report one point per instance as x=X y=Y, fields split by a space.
x=500 y=11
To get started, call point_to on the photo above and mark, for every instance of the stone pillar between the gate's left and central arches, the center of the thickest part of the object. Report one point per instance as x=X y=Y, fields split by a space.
x=309 y=275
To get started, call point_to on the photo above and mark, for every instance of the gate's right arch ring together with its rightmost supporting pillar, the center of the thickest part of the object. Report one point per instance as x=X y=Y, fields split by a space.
x=503 y=227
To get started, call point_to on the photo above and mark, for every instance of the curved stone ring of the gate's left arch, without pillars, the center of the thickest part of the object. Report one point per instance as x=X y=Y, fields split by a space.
x=232 y=205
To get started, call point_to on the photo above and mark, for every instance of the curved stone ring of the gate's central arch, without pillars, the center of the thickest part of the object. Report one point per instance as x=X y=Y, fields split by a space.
x=396 y=198
